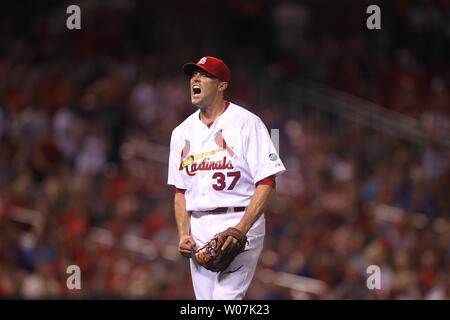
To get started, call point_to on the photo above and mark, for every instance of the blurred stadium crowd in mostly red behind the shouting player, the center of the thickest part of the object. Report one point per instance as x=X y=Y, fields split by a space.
x=85 y=124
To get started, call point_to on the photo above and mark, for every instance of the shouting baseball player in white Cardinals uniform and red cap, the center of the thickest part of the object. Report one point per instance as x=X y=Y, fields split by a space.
x=223 y=165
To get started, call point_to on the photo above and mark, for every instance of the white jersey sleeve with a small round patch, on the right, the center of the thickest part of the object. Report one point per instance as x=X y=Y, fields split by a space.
x=261 y=156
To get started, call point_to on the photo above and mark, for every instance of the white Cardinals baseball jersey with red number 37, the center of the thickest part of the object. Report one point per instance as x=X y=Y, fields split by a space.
x=219 y=165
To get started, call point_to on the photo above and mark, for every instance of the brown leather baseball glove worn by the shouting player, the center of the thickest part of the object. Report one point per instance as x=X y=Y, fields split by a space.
x=211 y=256
